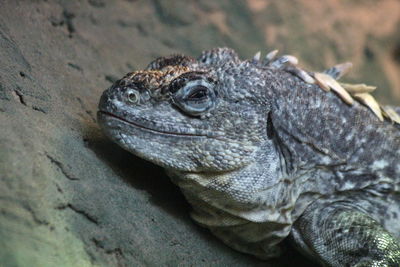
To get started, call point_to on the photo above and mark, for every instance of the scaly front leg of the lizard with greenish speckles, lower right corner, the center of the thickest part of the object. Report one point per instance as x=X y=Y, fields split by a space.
x=338 y=234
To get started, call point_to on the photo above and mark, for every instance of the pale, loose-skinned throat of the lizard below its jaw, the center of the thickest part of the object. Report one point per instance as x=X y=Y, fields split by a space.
x=250 y=208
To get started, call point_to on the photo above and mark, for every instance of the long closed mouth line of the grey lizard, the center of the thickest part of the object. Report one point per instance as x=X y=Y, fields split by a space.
x=183 y=132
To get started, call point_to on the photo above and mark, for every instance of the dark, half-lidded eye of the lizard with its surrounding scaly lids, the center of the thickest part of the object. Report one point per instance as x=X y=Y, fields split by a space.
x=195 y=97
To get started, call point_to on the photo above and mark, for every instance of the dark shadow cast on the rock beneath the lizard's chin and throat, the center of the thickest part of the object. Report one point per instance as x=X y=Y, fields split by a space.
x=146 y=176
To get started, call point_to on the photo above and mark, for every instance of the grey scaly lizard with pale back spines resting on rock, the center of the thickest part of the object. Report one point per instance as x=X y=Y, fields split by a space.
x=263 y=155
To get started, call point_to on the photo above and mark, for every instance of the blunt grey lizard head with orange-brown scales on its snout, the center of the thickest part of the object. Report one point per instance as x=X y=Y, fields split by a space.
x=188 y=115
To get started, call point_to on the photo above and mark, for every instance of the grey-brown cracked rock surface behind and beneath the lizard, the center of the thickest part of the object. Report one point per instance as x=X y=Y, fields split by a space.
x=70 y=197
